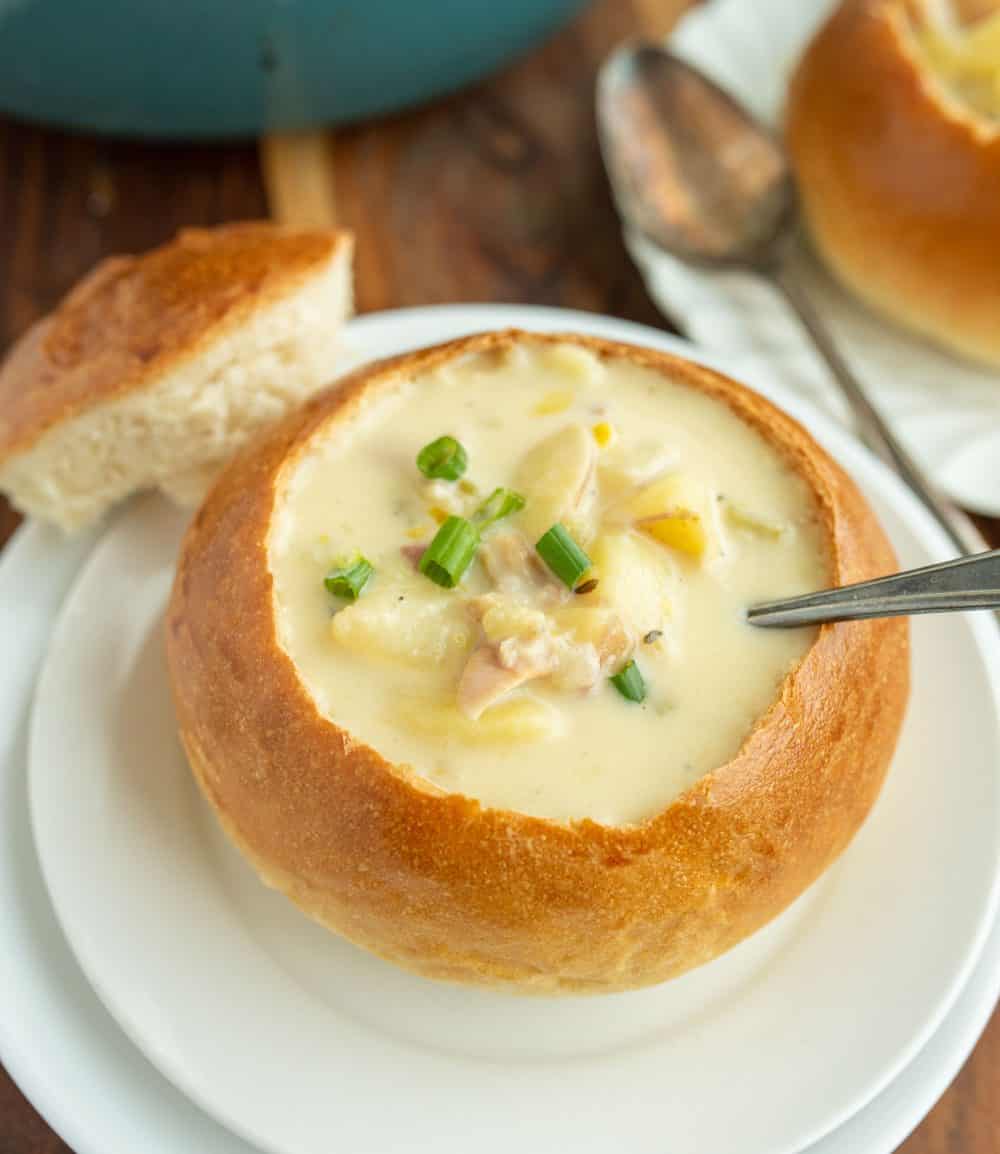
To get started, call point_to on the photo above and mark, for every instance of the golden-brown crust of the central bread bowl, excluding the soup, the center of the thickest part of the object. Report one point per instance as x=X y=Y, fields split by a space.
x=453 y=890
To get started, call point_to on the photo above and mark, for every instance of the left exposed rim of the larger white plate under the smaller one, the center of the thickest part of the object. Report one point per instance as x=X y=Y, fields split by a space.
x=58 y=1043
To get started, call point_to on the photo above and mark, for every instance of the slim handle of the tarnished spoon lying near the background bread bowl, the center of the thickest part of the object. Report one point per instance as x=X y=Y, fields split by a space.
x=870 y=424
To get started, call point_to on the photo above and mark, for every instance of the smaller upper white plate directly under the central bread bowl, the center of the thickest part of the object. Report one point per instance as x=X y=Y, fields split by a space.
x=324 y=999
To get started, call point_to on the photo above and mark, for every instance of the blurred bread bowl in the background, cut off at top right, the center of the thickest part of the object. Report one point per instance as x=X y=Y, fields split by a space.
x=894 y=131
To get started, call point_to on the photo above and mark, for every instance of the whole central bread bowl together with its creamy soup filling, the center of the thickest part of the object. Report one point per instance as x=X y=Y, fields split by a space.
x=461 y=872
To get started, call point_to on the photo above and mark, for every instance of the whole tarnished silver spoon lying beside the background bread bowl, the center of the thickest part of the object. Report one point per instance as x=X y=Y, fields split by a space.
x=696 y=175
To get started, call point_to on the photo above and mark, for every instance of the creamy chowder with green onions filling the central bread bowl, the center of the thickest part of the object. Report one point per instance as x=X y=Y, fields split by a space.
x=598 y=676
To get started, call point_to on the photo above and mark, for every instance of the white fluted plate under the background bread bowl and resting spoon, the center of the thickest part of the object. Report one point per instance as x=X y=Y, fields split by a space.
x=945 y=409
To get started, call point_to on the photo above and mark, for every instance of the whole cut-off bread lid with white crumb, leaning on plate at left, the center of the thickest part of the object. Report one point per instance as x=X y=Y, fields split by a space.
x=155 y=369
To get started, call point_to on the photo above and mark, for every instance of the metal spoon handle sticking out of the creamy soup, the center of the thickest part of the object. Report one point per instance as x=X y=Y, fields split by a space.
x=967 y=583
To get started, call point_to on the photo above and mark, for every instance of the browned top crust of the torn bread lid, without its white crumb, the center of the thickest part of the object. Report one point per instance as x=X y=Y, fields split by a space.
x=136 y=317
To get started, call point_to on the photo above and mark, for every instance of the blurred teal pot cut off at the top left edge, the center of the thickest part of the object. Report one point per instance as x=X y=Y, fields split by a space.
x=239 y=68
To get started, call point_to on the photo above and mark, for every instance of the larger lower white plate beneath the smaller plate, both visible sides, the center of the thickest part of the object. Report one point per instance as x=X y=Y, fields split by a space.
x=78 y=1068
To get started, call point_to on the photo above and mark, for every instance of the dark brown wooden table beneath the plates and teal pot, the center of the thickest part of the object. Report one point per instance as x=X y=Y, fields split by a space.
x=495 y=196
